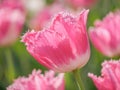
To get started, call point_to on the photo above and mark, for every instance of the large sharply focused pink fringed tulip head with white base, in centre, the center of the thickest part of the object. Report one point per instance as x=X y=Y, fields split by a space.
x=64 y=46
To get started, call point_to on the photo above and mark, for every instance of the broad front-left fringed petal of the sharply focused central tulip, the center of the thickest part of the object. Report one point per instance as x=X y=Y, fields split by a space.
x=57 y=46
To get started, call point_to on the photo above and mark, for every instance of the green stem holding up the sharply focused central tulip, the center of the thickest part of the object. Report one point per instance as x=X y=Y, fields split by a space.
x=78 y=79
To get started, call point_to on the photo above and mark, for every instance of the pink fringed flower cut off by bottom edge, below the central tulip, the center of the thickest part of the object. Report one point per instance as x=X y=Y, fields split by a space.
x=38 y=81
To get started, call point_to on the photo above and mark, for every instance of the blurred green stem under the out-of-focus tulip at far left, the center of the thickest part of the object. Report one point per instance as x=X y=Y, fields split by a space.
x=10 y=72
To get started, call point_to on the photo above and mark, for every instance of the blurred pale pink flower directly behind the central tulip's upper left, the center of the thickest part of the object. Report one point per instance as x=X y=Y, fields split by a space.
x=44 y=16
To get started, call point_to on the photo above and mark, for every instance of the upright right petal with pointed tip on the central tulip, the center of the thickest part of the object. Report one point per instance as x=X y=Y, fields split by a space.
x=74 y=29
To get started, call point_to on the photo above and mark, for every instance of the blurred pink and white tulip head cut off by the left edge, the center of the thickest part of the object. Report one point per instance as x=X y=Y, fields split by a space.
x=11 y=22
